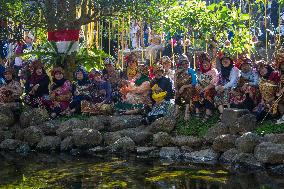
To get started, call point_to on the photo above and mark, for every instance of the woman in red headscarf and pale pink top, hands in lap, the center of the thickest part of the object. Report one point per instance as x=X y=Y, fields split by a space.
x=207 y=78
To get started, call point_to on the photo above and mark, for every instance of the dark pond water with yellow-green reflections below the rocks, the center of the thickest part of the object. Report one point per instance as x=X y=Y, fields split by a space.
x=63 y=171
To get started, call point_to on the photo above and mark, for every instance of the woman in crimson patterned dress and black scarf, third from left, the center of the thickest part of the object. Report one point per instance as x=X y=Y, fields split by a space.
x=60 y=92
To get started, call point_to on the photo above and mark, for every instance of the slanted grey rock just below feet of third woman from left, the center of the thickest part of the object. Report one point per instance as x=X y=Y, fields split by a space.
x=66 y=128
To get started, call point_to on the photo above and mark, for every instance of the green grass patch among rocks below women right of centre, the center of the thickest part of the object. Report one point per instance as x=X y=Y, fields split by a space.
x=195 y=126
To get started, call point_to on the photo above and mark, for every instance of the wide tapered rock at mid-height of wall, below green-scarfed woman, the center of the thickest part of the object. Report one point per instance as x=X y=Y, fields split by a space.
x=138 y=135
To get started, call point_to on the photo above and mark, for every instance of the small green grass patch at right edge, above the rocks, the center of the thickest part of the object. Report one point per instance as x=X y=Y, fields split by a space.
x=269 y=127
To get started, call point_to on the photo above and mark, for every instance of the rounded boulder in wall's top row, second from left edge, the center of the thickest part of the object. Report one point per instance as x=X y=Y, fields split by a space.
x=33 y=117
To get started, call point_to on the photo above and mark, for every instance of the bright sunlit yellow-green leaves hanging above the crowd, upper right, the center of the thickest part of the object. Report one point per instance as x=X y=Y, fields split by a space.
x=203 y=22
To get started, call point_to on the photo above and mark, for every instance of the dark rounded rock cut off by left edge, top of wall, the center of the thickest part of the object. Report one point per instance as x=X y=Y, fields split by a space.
x=7 y=117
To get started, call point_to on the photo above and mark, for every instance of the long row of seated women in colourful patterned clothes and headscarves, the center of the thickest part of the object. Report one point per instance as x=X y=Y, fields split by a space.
x=164 y=89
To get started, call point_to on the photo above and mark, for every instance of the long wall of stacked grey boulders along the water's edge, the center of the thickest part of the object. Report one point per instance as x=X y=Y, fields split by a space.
x=231 y=142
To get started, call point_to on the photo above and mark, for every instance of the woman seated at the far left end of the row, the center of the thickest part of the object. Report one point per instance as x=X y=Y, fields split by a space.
x=11 y=90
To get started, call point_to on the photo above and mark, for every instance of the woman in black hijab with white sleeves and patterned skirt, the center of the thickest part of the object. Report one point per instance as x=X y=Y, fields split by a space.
x=228 y=80
